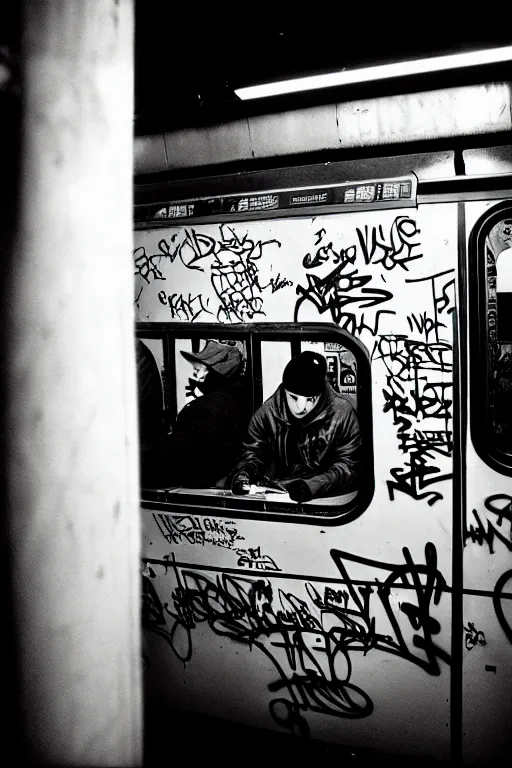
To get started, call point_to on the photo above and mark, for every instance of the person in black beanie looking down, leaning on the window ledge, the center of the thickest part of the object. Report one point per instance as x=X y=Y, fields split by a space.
x=305 y=436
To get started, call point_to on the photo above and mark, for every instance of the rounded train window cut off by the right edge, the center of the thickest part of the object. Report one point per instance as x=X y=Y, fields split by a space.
x=491 y=336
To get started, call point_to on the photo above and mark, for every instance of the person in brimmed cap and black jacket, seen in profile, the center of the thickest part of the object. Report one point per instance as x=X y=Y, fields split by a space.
x=208 y=432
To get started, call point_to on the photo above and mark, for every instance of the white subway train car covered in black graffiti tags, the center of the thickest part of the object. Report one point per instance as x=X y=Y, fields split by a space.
x=375 y=612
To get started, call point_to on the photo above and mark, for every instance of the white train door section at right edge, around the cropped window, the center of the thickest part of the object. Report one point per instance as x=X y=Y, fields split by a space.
x=487 y=489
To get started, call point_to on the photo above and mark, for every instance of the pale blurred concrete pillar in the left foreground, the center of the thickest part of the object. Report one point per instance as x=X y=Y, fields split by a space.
x=72 y=484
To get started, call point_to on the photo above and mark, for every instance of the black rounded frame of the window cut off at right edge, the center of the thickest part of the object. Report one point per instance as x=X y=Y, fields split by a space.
x=482 y=434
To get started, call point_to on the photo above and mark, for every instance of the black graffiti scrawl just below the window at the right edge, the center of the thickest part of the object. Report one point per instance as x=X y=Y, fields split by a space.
x=492 y=525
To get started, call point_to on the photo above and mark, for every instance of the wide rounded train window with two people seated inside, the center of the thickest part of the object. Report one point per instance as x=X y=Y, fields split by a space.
x=234 y=441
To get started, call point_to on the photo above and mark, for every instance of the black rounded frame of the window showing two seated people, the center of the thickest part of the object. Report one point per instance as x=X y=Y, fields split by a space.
x=254 y=333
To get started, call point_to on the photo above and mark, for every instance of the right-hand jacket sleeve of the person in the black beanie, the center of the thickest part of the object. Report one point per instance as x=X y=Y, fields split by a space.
x=344 y=459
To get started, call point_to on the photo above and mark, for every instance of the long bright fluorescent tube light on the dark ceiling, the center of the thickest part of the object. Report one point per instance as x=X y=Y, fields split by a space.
x=381 y=72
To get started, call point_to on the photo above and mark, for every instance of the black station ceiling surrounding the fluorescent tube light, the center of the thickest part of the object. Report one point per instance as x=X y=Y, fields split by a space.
x=187 y=66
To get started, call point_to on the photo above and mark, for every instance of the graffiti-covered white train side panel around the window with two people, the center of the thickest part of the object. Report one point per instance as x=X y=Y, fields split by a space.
x=331 y=619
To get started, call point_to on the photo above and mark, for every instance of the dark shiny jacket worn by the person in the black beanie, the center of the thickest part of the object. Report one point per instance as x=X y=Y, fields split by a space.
x=328 y=442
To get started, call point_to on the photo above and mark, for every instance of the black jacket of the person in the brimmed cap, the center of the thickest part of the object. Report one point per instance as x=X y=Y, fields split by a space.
x=206 y=439
